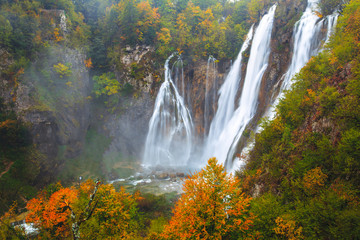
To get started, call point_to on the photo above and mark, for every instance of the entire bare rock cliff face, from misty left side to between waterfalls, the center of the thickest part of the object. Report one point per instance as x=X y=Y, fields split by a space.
x=57 y=106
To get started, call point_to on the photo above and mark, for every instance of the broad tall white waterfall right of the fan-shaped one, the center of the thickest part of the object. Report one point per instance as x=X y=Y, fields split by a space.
x=233 y=124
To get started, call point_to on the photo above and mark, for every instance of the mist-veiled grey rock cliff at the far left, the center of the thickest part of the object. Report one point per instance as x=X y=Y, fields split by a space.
x=54 y=106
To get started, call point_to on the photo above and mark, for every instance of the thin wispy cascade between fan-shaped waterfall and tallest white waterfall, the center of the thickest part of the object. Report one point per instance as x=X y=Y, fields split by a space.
x=210 y=91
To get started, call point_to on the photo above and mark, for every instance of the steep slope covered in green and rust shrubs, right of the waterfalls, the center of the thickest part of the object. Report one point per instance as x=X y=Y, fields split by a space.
x=305 y=163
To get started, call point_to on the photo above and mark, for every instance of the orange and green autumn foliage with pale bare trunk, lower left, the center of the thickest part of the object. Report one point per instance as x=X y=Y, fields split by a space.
x=89 y=211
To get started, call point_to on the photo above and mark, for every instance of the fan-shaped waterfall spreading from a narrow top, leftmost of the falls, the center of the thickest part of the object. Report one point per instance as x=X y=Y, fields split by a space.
x=169 y=139
